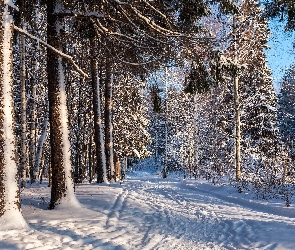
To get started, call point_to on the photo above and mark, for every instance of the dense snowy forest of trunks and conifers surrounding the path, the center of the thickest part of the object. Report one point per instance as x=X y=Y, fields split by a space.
x=87 y=88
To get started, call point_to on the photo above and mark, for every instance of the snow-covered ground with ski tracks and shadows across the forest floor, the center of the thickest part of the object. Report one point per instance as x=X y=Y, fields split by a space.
x=147 y=212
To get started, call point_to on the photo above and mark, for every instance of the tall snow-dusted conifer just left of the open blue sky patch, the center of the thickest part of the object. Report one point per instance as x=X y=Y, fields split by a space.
x=260 y=125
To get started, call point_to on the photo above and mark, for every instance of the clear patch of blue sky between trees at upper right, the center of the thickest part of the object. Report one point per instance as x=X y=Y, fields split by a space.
x=281 y=55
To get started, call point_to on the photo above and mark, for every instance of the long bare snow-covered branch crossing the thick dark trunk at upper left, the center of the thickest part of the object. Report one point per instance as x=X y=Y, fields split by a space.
x=56 y=51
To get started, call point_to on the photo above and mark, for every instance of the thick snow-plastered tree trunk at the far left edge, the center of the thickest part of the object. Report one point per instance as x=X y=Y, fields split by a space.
x=10 y=214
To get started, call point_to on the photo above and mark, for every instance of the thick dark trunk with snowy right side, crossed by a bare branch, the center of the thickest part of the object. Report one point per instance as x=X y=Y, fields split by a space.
x=62 y=183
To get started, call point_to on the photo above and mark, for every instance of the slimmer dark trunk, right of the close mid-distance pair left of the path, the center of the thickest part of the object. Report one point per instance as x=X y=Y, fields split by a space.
x=109 y=145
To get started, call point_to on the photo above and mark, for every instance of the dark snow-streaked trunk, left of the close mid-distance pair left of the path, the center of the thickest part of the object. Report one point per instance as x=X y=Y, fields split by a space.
x=98 y=129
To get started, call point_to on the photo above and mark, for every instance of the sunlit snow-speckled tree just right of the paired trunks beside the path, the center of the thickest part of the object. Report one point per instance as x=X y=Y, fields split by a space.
x=130 y=119
